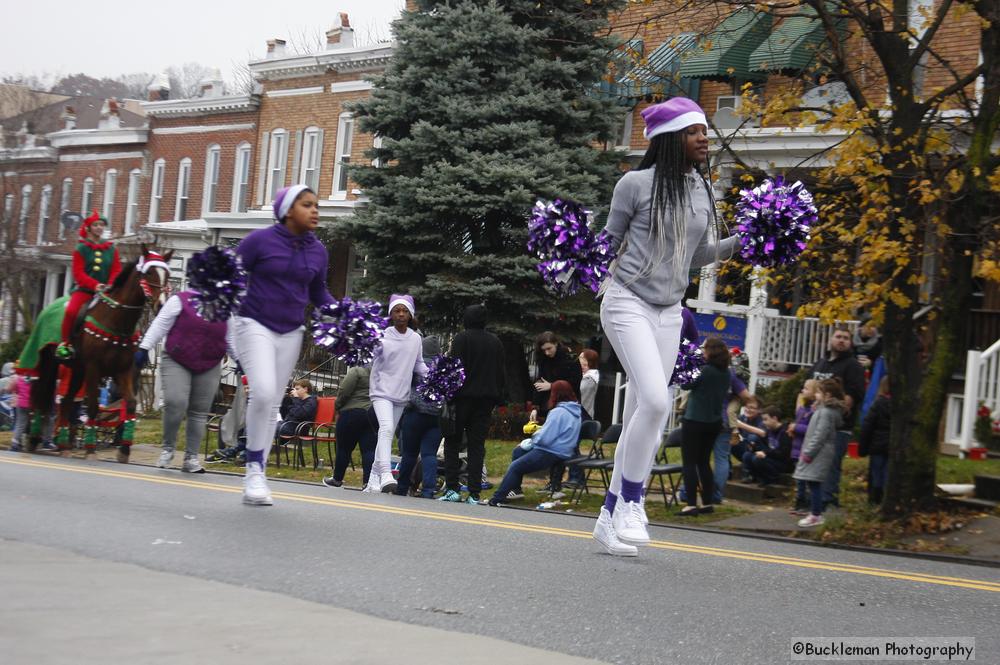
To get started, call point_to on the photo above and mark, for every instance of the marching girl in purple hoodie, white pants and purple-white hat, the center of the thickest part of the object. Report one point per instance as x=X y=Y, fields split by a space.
x=287 y=267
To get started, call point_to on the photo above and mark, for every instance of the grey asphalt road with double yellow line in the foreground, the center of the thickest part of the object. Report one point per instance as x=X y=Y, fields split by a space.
x=346 y=577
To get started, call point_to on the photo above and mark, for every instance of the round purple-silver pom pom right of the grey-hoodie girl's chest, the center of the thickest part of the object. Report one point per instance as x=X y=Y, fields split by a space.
x=773 y=221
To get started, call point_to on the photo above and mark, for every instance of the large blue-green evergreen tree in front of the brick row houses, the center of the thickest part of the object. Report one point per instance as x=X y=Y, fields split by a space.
x=485 y=107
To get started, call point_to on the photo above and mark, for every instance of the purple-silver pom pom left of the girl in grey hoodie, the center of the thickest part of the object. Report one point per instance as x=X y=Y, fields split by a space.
x=570 y=254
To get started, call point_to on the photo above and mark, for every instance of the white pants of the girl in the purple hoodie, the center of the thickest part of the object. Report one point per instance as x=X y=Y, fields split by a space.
x=268 y=359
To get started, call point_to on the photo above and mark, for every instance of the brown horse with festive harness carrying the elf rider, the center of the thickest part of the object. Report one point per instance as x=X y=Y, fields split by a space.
x=105 y=347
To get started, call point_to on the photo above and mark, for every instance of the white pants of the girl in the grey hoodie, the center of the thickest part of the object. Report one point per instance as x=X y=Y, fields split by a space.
x=646 y=339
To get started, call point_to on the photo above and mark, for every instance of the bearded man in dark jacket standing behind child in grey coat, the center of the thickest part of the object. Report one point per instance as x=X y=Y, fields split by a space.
x=840 y=363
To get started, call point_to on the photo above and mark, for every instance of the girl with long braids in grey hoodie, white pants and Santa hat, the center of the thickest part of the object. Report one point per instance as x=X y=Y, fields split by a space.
x=660 y=223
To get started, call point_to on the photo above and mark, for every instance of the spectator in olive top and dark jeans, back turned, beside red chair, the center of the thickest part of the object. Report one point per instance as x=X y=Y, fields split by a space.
x=354 y=427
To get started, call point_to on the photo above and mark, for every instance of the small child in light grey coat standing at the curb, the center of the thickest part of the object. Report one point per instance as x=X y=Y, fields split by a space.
x=819 y=451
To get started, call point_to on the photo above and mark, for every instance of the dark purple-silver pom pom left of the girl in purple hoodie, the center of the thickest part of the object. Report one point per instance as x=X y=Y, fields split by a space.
x=217 y=277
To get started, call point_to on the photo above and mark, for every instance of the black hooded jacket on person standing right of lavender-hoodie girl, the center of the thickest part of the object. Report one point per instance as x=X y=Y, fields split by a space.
x=481 y=353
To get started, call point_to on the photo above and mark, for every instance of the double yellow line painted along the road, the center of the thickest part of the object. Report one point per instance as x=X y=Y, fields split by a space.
x=981 y=585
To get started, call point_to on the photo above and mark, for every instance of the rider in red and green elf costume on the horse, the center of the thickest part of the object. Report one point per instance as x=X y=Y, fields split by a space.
x=95 y=266
